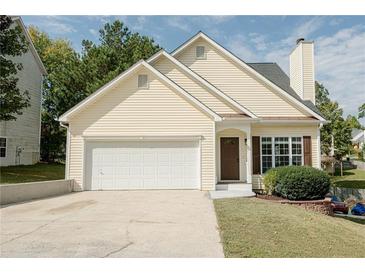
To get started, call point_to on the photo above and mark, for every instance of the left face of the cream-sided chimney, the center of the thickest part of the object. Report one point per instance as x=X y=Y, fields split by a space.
x=296 y=70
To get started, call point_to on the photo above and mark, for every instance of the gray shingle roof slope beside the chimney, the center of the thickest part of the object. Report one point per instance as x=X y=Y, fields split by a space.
x=276 y=75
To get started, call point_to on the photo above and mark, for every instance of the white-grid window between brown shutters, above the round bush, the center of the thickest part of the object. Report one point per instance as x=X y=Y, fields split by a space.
x=280 y=151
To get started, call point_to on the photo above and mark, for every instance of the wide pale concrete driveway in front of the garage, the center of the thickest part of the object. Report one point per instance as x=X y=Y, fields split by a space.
x=112 y=224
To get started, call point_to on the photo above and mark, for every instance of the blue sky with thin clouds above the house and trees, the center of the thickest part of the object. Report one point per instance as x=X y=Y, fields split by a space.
x=339 y=41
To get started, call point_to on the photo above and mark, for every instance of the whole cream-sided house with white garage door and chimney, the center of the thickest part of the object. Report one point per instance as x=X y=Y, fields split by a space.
x=193 y=118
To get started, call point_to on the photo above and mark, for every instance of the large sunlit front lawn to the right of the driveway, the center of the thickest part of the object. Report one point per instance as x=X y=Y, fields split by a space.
x=251 y=227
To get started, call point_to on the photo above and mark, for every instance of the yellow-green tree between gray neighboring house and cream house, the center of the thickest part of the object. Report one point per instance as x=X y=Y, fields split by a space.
x=63 y=88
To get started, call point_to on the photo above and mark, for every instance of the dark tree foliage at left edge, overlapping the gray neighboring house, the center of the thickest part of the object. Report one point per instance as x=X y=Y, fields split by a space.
x=12 y=44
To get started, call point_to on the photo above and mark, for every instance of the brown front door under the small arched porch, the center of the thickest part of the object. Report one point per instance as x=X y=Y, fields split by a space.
x=230 y=158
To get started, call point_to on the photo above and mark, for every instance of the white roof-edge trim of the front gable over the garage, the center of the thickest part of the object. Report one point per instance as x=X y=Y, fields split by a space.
x=97 y=94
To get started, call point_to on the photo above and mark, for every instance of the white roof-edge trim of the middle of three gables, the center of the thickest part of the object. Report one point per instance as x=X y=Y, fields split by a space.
x=202 y=81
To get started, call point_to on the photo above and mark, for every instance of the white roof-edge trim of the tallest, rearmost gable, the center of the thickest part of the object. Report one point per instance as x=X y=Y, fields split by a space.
x=298 y=103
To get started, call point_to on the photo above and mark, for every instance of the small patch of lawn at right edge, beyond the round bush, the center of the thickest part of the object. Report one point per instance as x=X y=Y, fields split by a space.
x=353 y=178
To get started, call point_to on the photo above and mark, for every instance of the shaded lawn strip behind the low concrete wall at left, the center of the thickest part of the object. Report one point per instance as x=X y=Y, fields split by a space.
x=31 y=173
